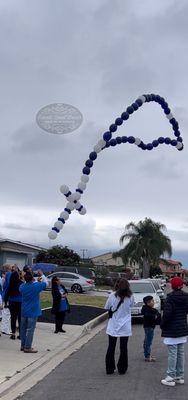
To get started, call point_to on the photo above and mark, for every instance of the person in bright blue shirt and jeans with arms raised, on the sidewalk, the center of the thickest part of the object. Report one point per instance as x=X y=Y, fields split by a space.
x=30 y=310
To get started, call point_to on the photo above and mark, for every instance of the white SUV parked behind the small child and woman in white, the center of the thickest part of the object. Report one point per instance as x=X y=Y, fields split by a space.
x=140 y=289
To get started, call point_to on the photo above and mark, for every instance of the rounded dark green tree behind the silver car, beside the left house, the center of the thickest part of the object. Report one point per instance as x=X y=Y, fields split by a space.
x=58 y=255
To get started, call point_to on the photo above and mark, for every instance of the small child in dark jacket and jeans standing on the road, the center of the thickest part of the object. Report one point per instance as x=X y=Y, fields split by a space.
x=151 y=318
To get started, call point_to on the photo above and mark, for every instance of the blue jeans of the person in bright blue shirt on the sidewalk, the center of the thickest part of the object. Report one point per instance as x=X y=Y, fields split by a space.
x=27 y=331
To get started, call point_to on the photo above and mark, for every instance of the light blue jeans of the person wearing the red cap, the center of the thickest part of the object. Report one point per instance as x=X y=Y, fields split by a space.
x=176 y=360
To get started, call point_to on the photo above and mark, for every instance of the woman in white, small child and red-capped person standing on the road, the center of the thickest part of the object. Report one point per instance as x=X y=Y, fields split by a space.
x=173 y=323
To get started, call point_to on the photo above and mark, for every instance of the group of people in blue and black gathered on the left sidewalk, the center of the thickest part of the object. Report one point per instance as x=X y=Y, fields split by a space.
x=20 y=294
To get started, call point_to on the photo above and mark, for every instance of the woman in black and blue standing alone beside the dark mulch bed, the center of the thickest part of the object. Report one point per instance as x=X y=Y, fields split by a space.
x=60 y=304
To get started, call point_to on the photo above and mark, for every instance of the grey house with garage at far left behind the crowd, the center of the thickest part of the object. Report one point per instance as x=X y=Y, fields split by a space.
x=13 y=252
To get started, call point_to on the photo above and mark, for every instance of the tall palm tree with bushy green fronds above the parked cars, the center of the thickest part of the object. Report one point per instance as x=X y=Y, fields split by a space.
x=147 y=243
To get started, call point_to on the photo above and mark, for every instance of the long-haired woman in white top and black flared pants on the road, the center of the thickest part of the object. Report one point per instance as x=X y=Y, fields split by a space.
x=119 y=304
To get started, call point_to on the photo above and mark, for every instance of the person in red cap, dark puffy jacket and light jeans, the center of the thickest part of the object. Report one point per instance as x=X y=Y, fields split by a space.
x=175 y=331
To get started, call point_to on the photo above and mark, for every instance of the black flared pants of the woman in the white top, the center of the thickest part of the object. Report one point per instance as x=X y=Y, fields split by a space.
x=122 y=364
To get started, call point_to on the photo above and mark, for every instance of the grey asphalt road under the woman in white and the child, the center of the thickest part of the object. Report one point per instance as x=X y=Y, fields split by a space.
x=82 y=375
